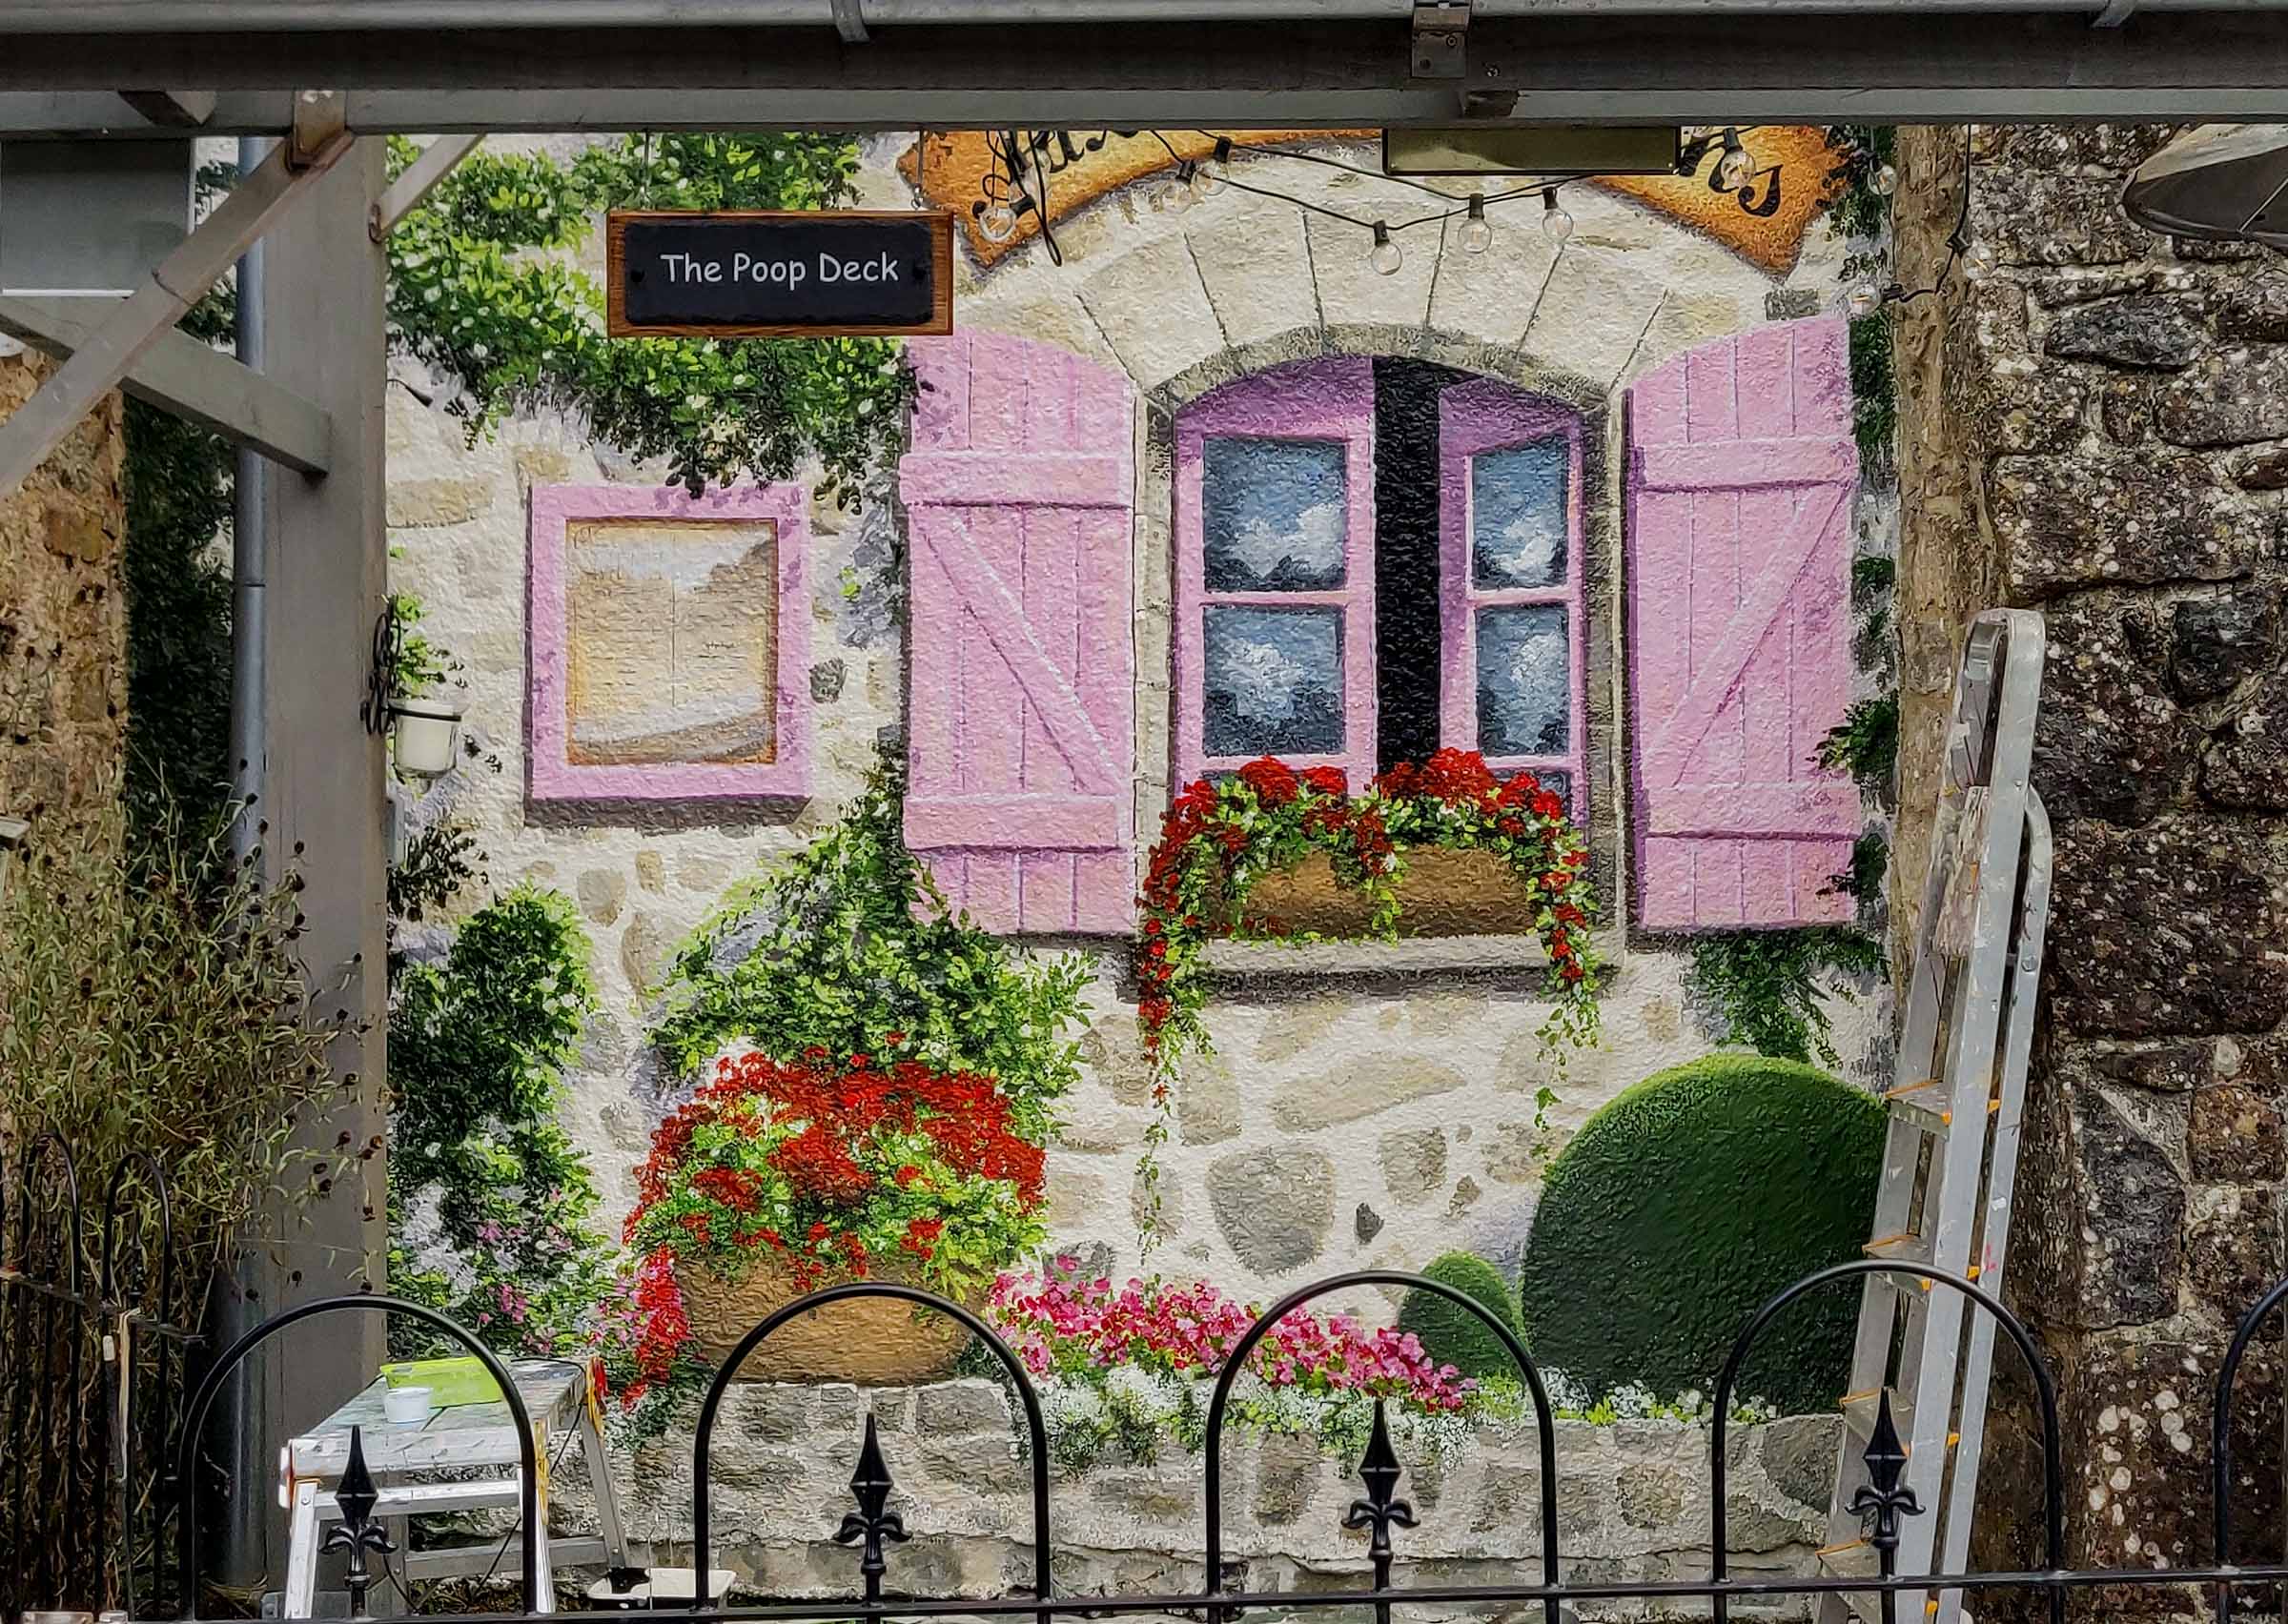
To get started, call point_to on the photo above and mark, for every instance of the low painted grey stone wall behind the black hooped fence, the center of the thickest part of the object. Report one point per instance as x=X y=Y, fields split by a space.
x=1632 y=1502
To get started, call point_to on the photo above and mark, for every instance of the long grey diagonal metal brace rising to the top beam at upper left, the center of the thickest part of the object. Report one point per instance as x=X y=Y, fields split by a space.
x=177 y=282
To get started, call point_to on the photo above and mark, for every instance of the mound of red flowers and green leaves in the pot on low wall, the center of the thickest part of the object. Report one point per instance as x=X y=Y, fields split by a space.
x=839 y=1168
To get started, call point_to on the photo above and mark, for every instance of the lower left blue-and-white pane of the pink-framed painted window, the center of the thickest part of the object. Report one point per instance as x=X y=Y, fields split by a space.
x=1273 y=680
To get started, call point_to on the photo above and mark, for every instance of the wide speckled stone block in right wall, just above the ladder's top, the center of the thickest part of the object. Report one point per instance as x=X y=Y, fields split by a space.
x=2118 y=518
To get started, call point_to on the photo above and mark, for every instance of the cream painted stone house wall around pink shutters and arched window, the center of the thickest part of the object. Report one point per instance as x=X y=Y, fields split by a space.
x=1367 y=1104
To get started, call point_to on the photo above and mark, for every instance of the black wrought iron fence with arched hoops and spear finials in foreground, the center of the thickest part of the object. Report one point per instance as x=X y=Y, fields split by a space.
x=1381 y=1513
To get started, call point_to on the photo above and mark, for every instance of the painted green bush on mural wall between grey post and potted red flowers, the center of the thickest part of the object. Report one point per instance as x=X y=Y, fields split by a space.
x=491 y=1207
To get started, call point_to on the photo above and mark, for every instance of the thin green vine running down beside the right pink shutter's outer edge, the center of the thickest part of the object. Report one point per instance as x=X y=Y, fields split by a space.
x=1770 y=989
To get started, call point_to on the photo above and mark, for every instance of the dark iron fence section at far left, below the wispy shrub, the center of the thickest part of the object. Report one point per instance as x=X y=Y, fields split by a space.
x=97 y=1344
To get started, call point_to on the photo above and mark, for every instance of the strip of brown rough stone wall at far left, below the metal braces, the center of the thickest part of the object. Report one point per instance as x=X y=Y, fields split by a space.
x=63 y=628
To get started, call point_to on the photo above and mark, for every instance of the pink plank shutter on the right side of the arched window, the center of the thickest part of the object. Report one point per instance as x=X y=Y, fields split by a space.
x=1740 y=646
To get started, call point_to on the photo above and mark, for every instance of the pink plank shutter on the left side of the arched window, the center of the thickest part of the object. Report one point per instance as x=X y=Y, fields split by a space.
x=1022 y=715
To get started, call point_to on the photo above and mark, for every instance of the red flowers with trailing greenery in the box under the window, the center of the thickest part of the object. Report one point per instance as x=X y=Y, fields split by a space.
x=1221 y=838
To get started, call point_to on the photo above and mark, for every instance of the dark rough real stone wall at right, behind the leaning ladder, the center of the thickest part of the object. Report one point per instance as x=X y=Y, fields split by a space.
x=2102 y=431
